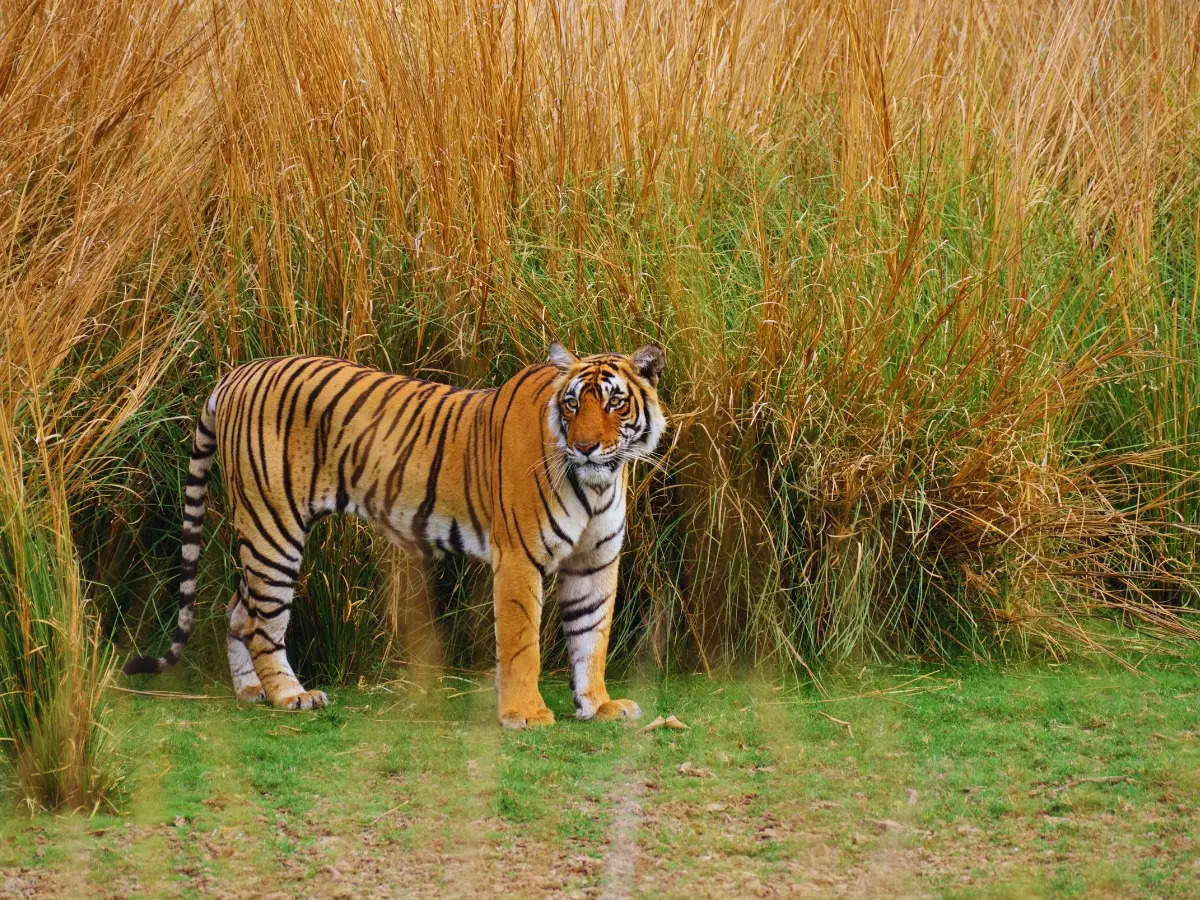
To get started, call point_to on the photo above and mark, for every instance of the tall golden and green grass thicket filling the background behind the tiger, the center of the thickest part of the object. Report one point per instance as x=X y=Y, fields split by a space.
x=926 y=275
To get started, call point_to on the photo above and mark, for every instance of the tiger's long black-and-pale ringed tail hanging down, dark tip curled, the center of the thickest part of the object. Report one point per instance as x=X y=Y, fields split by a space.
x=205 y=447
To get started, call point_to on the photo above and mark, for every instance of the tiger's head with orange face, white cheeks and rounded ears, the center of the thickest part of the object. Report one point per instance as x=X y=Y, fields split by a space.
x=605 y=411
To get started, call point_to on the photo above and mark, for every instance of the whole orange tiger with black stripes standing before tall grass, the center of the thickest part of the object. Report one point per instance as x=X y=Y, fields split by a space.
x=530 y=477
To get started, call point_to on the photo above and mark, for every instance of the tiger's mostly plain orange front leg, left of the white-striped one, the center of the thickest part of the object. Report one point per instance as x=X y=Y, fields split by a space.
x=518 y=602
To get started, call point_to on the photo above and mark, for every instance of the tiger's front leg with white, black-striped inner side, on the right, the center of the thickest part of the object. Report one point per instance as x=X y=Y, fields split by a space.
x=587 y=590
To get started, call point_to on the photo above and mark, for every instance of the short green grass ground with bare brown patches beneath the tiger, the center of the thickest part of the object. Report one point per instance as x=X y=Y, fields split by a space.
x=1079 y=779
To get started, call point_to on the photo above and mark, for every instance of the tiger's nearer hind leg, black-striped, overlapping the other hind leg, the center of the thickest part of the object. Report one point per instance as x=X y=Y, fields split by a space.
x=269 y=586
